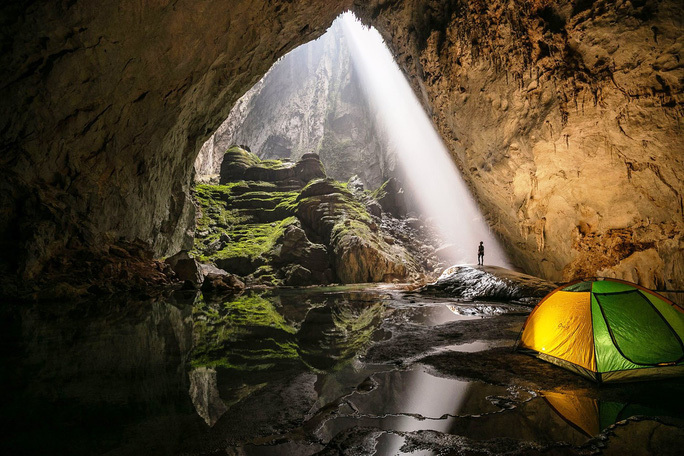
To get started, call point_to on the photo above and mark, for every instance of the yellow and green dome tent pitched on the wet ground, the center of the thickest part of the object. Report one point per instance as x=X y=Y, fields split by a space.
x=607 y=330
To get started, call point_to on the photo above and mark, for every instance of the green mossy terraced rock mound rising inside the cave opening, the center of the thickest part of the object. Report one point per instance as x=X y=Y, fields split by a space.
x=275 y=222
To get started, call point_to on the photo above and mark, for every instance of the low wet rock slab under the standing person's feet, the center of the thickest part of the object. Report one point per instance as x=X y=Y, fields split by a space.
x=488 y=282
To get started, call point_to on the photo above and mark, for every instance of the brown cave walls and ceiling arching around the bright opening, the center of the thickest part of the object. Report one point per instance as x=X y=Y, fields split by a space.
x=565 y=118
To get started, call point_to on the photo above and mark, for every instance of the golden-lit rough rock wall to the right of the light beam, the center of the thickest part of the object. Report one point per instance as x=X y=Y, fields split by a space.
x=565 y=120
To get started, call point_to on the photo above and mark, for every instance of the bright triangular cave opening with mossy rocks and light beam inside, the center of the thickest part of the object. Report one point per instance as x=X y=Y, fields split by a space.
x=339 y=108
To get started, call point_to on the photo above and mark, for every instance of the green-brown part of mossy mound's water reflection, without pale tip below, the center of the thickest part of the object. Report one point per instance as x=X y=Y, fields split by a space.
x=258 y=332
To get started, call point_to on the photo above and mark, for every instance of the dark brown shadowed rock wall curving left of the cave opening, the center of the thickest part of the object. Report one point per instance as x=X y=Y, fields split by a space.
x=105 y=105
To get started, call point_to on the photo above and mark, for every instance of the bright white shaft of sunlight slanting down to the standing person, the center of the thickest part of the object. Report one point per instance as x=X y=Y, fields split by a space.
x=433 y=178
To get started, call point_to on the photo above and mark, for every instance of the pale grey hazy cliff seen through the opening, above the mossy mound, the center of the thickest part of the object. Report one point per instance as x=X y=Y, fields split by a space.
x=311 y=100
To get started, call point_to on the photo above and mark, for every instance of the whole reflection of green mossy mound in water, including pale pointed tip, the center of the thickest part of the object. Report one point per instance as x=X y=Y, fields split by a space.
x=264 y=333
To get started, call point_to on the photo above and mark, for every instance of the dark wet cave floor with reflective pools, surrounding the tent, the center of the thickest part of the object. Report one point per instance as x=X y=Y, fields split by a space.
x=336 y=370
